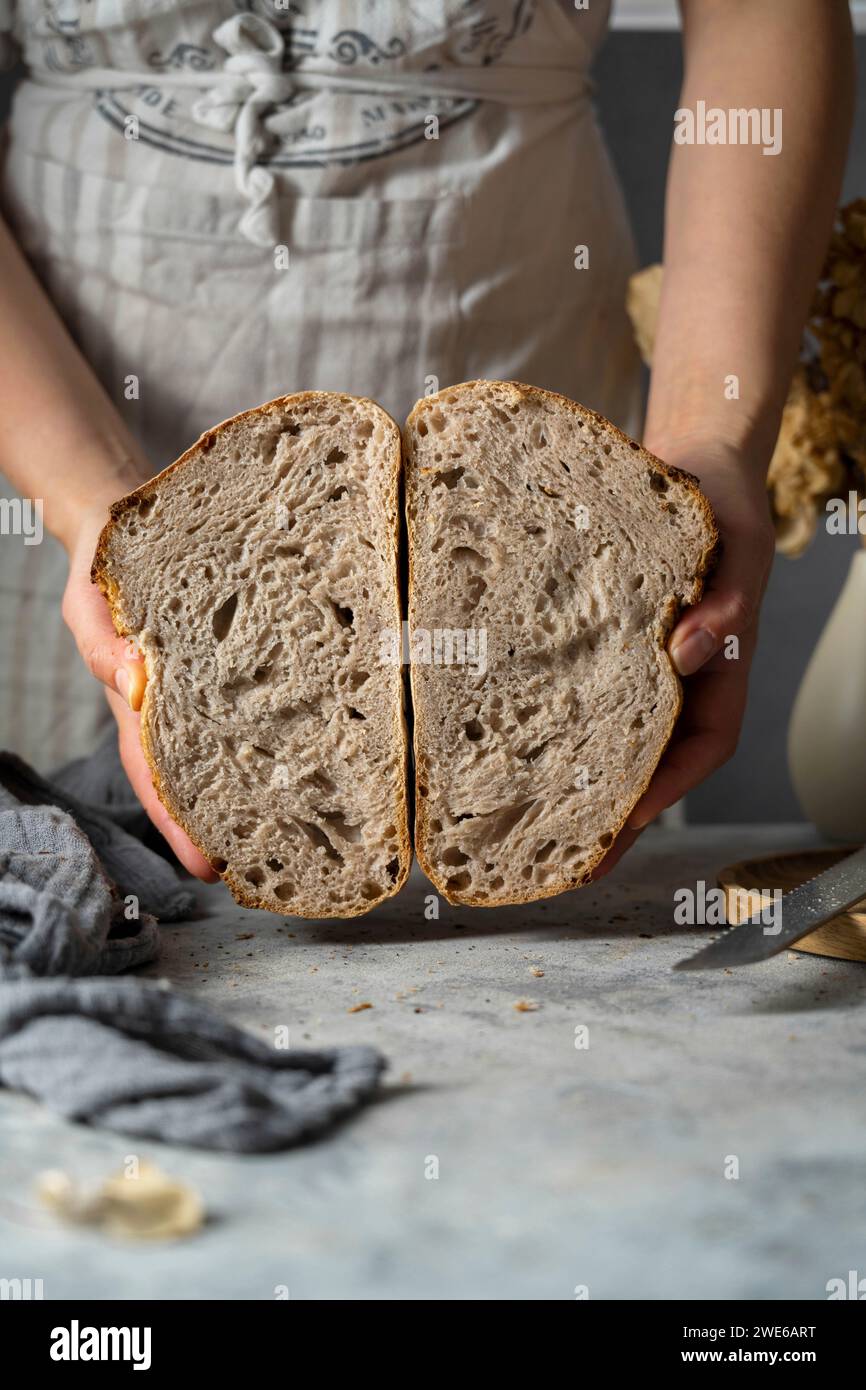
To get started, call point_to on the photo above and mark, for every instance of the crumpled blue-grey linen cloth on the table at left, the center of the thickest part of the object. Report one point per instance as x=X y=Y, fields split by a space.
x=130 y=1054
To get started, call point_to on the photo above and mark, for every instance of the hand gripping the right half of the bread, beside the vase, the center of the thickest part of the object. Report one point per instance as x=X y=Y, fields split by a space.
x=715 y=685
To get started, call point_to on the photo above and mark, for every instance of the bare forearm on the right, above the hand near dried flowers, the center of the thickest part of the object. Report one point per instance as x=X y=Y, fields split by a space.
x=746 y=233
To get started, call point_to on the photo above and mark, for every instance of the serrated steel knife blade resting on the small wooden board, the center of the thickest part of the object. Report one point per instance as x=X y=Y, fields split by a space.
x=803 y=910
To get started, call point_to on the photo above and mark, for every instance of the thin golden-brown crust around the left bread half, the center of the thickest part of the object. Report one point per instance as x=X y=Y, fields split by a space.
x=101 y=575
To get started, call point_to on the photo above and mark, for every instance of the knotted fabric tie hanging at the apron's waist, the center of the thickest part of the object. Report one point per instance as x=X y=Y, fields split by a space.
x=252 y=81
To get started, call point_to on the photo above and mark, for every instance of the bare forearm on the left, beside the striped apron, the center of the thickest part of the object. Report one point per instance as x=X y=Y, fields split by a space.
x=62 y=440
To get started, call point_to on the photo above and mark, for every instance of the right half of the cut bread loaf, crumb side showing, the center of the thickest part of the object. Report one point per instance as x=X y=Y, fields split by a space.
x=550 y=557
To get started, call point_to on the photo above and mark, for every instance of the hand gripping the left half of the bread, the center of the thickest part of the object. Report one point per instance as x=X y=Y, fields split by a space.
x=116 y=664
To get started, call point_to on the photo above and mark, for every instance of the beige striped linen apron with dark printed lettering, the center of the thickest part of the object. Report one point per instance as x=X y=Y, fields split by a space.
x=230 y=201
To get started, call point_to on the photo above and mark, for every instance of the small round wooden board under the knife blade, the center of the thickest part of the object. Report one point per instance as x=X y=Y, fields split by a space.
x=843 y=938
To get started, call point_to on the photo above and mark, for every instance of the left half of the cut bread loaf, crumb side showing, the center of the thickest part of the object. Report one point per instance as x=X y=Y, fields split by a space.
x=258 y=576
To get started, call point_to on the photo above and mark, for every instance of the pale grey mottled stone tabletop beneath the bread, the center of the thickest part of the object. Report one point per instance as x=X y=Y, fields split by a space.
x=559 y=1167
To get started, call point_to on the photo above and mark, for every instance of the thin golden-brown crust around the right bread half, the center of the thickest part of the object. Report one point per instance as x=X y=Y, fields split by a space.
x=707 y=564
